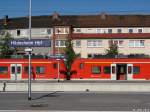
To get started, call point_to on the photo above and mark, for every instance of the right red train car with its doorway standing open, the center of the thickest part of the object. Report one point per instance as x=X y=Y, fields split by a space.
x=111 y=69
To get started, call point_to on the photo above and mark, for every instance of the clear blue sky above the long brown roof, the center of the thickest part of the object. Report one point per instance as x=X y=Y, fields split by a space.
x=17 y=8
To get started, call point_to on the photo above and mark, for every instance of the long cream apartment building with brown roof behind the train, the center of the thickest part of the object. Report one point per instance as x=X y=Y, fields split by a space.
x=90 y=34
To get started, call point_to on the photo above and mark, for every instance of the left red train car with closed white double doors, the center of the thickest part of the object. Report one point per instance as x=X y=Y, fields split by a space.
x=17 y=69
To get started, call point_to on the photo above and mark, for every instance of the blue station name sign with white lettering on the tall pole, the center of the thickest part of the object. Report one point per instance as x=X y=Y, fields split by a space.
x=30 y=43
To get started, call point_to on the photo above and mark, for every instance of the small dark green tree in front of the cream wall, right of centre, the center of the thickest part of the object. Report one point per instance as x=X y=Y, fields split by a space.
x=112 y=51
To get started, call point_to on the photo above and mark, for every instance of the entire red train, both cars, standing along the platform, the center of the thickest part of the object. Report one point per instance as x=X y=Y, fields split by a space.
x=104 y=69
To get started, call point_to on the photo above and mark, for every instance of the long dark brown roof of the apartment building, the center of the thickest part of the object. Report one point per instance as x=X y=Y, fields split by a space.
x=80 y=21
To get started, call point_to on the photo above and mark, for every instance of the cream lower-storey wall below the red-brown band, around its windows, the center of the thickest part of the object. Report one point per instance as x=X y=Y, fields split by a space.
x=125 y=49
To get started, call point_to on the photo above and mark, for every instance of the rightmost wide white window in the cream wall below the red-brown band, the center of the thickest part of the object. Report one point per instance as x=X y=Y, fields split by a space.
x=136 y=43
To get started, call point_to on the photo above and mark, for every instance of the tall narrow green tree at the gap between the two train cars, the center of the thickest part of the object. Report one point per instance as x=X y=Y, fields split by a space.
x=70 y=56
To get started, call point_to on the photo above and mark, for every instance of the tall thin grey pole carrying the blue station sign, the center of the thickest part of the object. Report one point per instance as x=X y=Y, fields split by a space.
x=29 y=50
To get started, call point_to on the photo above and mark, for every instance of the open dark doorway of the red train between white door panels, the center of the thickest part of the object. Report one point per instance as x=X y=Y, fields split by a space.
x=121 y=71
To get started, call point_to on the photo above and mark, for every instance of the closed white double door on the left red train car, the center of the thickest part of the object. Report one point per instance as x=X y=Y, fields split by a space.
x=16 y=71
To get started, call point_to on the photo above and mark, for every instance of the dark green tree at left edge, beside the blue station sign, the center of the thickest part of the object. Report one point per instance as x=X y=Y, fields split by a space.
x=5 y=50
